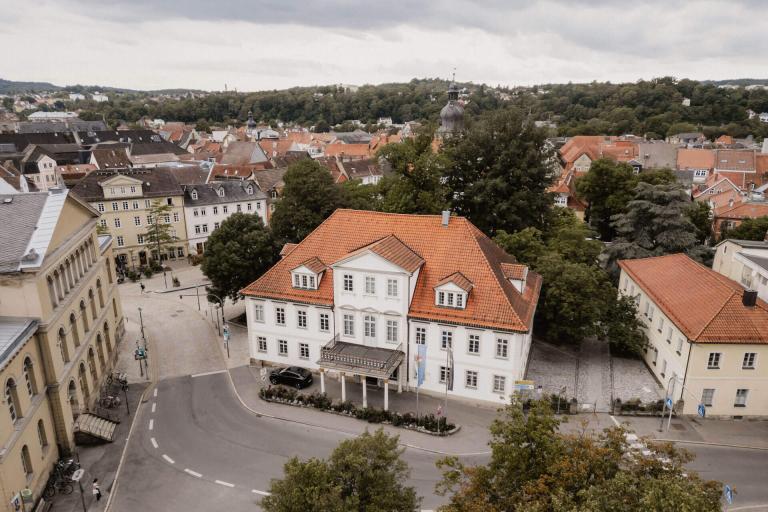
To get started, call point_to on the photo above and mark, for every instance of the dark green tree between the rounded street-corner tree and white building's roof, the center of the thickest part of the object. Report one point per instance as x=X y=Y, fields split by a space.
x=308 y=198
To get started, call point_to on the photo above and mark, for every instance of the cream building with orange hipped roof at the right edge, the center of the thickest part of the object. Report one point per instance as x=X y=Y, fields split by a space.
x=708 y=335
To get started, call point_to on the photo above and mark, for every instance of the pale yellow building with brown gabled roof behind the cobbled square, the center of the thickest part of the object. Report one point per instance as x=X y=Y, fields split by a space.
x=124 y=198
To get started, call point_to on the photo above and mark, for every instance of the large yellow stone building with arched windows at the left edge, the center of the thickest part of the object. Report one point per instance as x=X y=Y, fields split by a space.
x=60 y=323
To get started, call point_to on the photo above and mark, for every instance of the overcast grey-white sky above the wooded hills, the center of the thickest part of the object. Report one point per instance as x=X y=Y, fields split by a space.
x=272 y=44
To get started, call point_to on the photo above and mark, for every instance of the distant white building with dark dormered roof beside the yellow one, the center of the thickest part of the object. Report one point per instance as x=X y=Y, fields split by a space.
x=206 y=206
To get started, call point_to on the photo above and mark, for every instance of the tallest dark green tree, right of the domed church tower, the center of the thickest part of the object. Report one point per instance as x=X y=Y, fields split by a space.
x=499 y=173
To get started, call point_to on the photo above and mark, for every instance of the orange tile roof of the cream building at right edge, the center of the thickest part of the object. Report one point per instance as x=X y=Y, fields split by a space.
x=706 y=306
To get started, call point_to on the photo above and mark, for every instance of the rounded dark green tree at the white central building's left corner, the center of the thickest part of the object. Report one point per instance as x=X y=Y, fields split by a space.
x=237 y=253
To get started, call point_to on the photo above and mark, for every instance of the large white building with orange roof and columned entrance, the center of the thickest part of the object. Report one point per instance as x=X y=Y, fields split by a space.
x=357 y=297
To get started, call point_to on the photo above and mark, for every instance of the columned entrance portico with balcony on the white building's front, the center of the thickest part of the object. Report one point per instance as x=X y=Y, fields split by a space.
x=352 y=359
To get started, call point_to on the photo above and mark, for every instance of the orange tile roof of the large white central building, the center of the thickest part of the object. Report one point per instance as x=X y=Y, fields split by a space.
x=493 y=303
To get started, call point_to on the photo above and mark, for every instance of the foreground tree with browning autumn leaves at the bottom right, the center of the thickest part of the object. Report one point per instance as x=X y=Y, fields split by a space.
x=535 y=467
